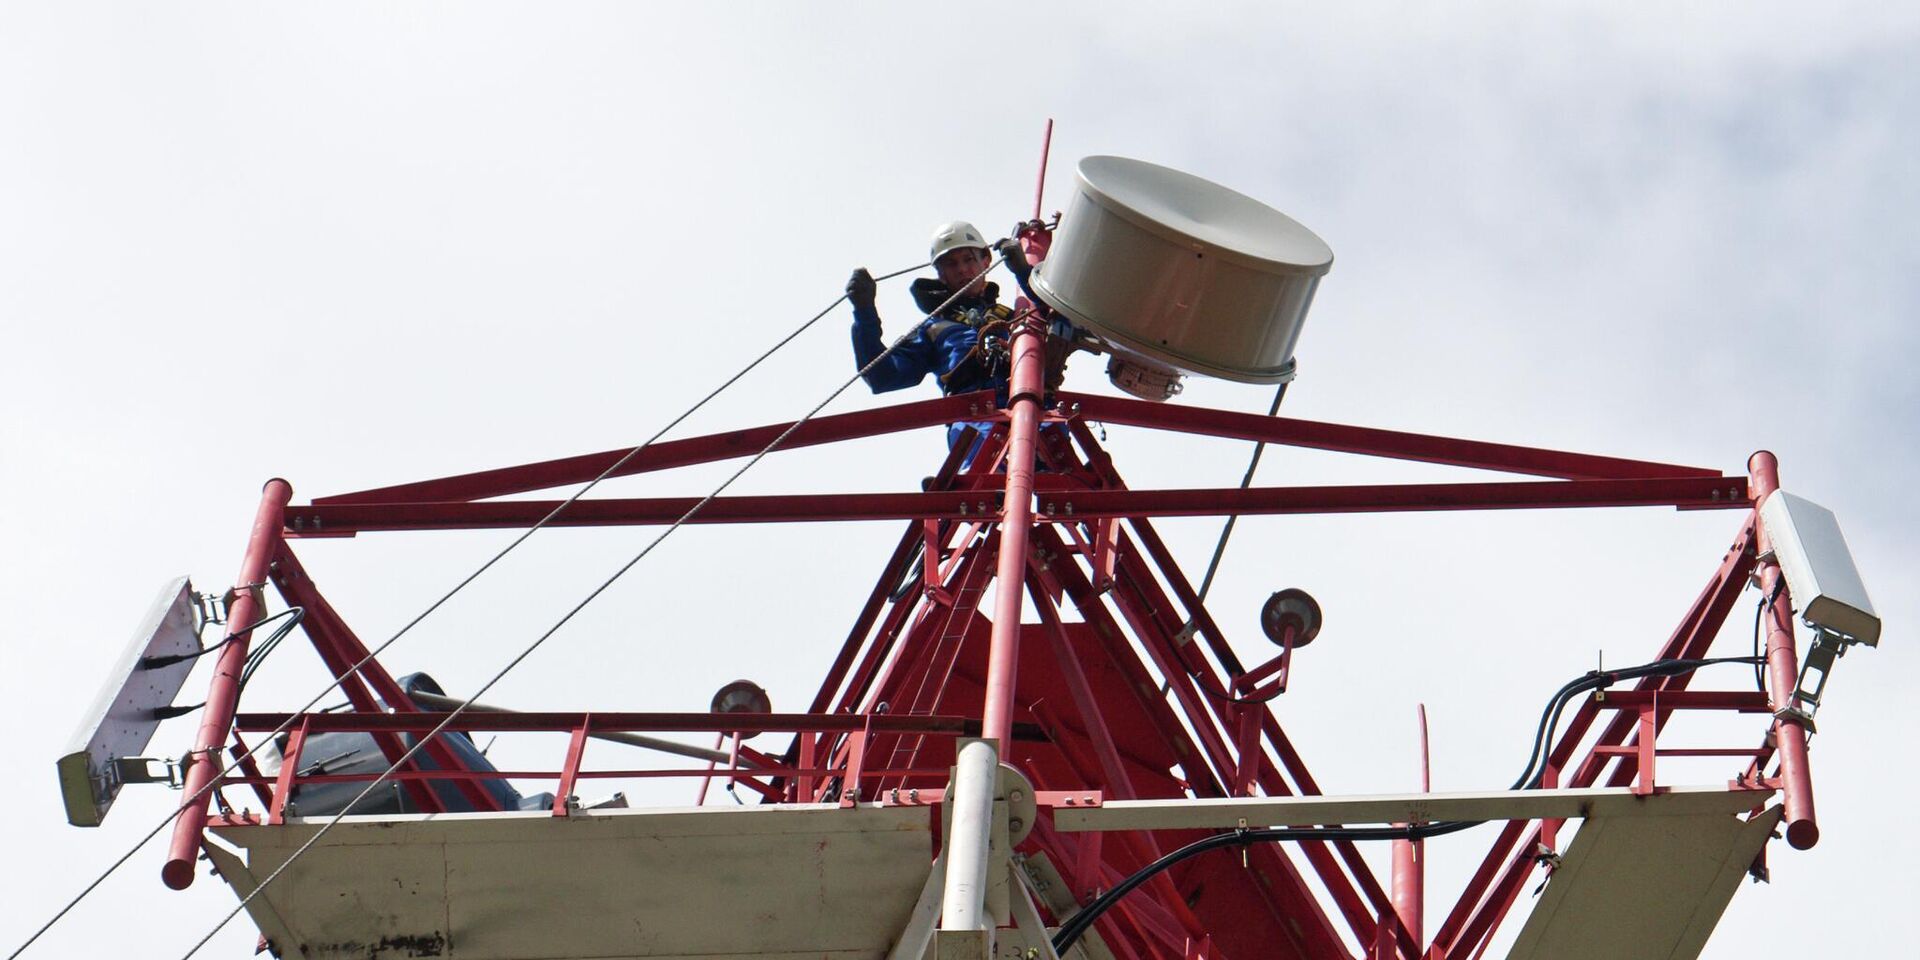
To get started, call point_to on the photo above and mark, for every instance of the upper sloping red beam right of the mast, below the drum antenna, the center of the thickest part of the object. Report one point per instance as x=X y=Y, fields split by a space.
x=1366 y=441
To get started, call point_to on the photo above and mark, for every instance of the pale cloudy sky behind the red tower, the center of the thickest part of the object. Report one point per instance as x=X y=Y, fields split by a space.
x=368 y=243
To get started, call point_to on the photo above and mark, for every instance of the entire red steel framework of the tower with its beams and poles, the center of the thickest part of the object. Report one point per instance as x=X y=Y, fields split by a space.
x=1124 y=690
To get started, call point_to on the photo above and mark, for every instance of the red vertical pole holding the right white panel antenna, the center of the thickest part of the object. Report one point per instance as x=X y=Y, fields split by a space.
x=1783 y=671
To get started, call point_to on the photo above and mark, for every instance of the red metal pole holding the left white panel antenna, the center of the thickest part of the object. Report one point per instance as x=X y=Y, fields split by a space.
x=226 y=690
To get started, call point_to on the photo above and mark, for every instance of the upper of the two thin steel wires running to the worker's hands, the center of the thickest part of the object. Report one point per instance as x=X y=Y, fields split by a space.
x=431 y=610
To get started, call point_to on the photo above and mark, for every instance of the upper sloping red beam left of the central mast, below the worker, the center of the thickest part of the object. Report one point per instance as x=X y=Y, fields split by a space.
x=546 y=475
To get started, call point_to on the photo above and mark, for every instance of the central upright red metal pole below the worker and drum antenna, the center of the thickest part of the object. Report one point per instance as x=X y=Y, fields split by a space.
x=1024 y=406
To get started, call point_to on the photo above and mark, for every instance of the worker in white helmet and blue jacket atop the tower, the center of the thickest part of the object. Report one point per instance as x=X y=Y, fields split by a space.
x=949 y=343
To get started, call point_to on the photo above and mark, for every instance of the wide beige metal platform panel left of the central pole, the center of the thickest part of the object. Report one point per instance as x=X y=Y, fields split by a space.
x=798 y=880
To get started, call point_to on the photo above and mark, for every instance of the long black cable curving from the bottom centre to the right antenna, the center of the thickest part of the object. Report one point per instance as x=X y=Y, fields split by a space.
x=1080 y=923
